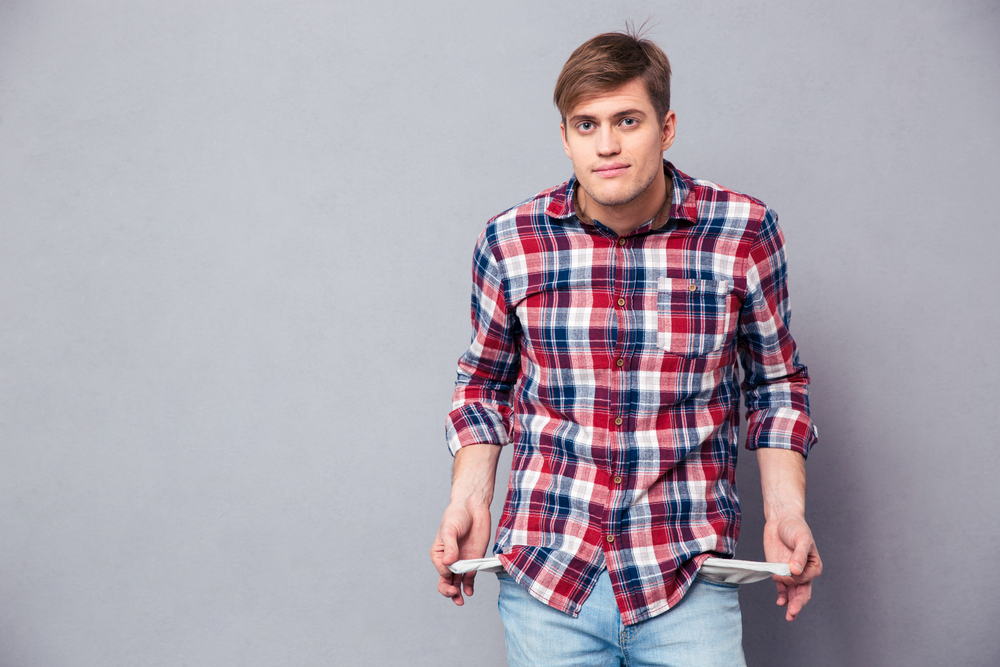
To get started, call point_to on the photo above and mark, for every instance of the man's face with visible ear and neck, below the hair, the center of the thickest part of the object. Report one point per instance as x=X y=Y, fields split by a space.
x=616 y=143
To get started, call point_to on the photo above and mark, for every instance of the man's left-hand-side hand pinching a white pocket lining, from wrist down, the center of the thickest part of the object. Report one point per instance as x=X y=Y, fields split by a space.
x=464 y=534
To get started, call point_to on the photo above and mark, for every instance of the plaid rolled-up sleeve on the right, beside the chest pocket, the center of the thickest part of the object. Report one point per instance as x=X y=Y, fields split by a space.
x=775 y=384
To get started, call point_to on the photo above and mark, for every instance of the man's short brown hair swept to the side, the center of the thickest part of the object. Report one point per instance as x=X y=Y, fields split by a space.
x=608 y=61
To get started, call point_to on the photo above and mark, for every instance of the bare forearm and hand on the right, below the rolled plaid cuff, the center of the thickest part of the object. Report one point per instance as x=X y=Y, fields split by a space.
x=787 y=538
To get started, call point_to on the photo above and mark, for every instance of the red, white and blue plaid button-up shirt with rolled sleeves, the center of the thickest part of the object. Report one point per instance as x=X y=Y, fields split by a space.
x=610 y=363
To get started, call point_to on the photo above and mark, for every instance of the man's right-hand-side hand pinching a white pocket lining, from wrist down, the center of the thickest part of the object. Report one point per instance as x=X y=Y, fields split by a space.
x=789 y=540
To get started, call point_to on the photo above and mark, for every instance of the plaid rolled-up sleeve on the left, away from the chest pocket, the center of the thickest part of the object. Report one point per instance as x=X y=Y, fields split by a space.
x=488 y=369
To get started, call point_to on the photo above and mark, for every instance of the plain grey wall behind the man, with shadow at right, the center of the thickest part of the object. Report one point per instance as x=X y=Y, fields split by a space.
x=234 y=263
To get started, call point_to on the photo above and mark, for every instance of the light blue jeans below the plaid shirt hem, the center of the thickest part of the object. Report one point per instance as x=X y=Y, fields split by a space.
x=704 y=630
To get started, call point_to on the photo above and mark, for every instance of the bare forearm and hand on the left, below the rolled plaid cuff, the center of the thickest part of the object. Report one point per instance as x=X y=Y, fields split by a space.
x=465 y=526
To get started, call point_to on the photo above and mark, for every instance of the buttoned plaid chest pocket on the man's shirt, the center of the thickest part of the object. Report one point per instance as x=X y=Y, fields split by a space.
x=693 y=316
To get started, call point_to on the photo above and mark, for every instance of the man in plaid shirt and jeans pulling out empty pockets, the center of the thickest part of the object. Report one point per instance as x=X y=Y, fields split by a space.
x=609 y=314
